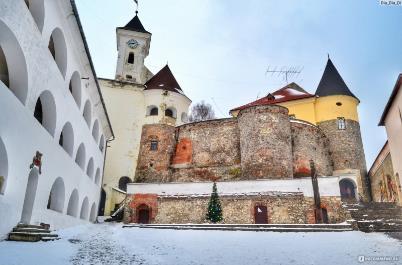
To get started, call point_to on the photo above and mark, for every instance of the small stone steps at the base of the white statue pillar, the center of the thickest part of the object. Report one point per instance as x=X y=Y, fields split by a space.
x=31 y=233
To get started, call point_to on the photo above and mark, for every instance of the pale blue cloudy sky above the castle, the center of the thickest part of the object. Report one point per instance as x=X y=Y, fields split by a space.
x=219 y=51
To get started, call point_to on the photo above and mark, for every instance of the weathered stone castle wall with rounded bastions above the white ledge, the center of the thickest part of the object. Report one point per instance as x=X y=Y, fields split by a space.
x=261 y=143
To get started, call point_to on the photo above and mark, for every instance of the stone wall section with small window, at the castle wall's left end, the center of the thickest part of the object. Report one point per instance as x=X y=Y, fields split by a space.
x=154 y=165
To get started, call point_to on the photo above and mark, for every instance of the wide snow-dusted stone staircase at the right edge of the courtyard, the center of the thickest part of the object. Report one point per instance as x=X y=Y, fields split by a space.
x=375 y=216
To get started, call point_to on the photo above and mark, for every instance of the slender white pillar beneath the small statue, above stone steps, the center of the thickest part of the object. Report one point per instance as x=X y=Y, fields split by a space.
x=30 y=195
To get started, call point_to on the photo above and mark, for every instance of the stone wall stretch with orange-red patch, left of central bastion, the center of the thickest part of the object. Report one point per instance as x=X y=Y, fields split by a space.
x=208 y=150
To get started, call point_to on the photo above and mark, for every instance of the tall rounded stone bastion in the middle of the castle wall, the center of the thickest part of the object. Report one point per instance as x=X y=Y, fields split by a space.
x=265 y=142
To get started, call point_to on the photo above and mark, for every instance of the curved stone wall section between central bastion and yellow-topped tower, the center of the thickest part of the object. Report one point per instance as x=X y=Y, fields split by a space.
x=309 y=142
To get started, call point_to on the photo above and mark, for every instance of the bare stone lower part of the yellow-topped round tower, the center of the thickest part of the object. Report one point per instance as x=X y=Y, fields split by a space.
x=346 y=149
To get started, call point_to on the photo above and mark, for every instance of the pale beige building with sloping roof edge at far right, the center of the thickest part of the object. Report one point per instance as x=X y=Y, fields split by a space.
x=392 y=120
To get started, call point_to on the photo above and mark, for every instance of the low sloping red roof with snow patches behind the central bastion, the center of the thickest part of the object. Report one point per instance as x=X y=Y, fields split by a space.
x=289 y=92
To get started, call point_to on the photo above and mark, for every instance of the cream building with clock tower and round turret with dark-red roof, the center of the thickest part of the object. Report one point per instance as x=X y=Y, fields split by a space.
x=134 y=98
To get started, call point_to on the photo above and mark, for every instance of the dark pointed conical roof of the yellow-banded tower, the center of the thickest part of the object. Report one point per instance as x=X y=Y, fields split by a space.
x=332 y=83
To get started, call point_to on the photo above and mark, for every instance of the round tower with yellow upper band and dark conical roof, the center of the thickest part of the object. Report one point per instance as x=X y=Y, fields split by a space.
x=336 y=115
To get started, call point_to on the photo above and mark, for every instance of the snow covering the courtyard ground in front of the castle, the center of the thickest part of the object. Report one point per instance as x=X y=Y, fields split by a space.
x=112 y=244
